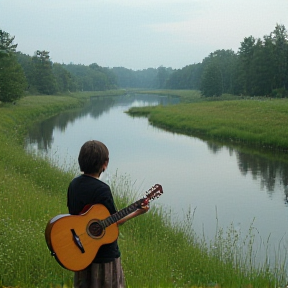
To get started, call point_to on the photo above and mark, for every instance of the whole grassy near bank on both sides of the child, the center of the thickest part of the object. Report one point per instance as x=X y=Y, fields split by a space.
x=155 y=252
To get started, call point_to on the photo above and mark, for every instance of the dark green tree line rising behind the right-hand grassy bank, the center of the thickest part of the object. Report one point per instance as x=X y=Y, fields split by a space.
x=260 y=67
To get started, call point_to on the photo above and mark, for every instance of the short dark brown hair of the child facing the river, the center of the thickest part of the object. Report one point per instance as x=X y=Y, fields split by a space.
x=93 y=154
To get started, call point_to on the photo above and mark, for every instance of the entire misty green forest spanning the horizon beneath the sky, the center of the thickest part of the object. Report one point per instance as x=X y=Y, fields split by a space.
x=258 y=68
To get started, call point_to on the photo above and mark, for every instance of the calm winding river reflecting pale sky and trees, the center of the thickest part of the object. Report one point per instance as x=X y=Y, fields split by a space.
x=217 y=181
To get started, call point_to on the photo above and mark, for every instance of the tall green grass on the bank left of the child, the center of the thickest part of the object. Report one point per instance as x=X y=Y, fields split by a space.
x=29 y=186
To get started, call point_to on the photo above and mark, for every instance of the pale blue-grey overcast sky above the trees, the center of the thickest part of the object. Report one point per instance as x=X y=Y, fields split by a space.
x=137 y=34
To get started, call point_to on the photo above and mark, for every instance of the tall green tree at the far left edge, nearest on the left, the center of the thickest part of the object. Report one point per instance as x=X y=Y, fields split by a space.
x=12 y=78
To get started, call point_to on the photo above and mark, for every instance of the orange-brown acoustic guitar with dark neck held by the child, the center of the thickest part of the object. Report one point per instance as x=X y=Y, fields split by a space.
x=74 y=240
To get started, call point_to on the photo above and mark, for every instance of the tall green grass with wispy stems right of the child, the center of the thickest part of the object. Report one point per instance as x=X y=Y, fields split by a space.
x=161 y=252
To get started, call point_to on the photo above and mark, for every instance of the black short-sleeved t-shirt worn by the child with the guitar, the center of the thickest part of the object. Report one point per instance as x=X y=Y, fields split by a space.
x=86 y=190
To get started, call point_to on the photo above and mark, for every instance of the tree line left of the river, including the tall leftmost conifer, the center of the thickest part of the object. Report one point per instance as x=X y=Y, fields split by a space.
x=37 y=74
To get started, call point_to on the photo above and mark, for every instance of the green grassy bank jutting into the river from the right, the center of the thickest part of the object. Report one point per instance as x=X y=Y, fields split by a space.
x=253 y=122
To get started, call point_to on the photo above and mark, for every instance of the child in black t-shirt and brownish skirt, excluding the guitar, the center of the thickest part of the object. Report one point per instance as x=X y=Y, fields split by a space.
x=105 y=271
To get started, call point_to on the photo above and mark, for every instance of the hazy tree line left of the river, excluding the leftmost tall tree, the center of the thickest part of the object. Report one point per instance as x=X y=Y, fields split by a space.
x=45 y=77
